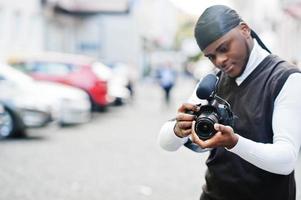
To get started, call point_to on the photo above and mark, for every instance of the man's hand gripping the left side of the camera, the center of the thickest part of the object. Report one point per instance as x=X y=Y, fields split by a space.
x=184 y=119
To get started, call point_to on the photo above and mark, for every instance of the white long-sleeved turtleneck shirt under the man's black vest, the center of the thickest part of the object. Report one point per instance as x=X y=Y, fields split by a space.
x=279 y=157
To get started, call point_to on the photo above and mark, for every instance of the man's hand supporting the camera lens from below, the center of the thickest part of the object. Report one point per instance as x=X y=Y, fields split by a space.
x=225 y=137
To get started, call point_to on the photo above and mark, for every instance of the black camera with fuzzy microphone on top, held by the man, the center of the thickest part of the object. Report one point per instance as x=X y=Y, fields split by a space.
x=217 y=110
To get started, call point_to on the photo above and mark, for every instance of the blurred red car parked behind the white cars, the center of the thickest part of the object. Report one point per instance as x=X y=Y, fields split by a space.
x=74 y=70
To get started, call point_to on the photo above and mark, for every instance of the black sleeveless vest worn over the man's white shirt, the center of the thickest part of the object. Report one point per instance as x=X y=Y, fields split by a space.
x=228 y=176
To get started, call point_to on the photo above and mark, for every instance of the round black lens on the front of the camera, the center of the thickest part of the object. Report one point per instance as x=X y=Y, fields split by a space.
x=204 y=126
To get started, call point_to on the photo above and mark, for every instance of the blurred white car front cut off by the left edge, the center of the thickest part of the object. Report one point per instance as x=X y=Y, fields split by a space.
x=22 y=109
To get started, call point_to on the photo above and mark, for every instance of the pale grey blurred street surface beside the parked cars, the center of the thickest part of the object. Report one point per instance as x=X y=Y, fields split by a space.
x=114 y=157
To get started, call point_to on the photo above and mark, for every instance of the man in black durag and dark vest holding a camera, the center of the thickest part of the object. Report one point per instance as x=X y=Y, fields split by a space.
x=254 y=159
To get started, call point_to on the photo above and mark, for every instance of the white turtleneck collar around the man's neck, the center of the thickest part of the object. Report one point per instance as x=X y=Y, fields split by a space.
x=257 y=55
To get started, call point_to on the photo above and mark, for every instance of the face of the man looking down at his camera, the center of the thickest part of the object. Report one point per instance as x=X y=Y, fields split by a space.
x=230 y=53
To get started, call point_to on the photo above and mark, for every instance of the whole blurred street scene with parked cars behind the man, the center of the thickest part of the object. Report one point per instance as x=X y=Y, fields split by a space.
x=85 y=86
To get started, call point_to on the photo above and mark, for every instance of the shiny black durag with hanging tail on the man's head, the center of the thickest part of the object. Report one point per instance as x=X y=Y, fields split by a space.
x=215 y=22
